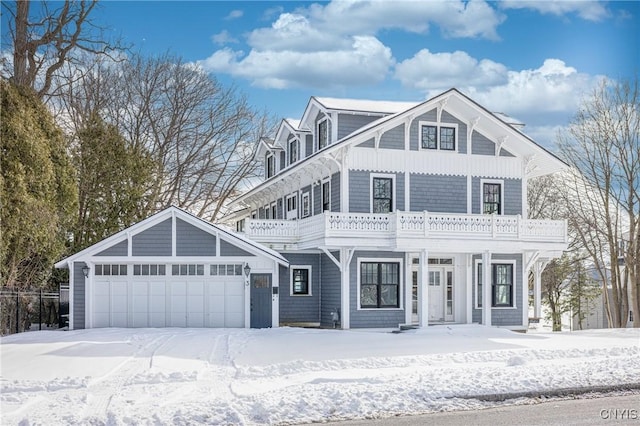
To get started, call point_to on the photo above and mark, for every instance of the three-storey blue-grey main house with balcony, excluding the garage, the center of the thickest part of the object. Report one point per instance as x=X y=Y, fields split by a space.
x=397 y=213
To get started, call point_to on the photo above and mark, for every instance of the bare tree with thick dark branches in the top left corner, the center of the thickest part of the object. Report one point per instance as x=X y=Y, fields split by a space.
x=49 y=36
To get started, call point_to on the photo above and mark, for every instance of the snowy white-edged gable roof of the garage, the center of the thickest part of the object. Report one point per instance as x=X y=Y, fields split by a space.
x=163 y=215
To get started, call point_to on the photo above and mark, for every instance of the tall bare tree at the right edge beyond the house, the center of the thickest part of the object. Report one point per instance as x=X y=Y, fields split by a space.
x=603 y=147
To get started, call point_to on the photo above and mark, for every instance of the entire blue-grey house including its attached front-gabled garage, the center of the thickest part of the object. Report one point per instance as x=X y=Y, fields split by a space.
x=375 y=214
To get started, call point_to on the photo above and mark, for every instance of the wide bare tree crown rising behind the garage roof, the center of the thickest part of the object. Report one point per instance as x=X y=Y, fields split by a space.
x=202 y=134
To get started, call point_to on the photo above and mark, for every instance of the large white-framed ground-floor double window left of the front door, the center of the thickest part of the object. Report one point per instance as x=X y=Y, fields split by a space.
x=379 y=285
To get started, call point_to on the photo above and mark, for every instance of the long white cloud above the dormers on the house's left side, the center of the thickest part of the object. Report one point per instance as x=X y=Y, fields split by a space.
x=366 y=61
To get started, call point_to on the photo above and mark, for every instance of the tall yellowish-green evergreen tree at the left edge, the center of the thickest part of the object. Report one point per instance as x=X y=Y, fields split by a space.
x=38 y=194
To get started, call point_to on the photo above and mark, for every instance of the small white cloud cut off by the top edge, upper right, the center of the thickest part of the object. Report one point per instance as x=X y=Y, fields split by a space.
x=588 y=10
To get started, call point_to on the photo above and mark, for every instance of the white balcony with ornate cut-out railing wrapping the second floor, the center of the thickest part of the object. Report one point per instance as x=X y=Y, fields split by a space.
x=408 y=230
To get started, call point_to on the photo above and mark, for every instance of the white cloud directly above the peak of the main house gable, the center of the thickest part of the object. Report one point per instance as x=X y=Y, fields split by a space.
x=441 y=71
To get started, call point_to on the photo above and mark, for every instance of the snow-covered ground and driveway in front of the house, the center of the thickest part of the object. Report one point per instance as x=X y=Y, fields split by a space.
x=291 y=375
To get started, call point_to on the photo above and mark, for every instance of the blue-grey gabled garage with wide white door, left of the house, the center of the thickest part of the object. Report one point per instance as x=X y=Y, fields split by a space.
x=173 y=270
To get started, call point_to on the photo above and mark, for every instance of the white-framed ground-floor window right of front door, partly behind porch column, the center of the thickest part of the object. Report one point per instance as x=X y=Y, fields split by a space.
x=502 y=275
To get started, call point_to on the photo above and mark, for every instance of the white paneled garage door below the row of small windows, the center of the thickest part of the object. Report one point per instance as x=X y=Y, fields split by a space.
x=139 y=301
